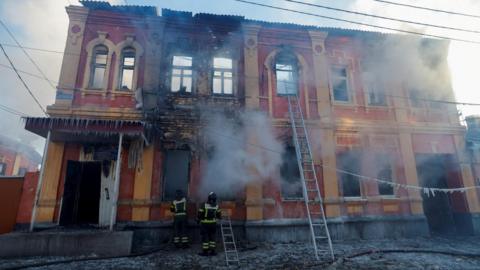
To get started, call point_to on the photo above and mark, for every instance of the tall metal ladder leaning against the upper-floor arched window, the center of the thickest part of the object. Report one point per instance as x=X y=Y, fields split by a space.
x=311 y=191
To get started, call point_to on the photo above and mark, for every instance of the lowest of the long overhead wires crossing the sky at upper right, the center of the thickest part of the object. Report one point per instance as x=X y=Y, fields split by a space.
x=358 y=23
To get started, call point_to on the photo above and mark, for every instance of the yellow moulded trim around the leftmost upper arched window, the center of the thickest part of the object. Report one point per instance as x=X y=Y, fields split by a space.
x=100 y=40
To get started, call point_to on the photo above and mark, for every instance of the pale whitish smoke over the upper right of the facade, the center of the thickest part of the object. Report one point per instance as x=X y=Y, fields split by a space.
x=392 y=63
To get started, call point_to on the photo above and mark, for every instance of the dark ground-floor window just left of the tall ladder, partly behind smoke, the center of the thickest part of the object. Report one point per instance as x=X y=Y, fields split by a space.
x=291 y=185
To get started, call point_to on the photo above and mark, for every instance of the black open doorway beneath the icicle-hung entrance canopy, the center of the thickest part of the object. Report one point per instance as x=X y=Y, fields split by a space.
x=81 y=195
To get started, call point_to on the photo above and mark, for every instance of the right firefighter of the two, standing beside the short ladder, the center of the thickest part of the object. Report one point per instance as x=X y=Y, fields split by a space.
x=207 y=217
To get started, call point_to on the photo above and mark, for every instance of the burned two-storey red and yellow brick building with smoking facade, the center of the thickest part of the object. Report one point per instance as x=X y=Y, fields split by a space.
x=148 y=104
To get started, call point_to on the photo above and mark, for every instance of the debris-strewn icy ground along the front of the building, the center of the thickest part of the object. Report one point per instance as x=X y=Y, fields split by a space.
x=293 y=256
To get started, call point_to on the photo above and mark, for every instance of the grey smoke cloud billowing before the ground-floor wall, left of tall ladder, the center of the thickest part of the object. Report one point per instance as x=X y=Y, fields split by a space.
x=241 y=150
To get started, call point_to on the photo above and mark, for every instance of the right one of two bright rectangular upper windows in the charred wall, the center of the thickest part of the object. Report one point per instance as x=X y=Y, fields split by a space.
x=222 y=76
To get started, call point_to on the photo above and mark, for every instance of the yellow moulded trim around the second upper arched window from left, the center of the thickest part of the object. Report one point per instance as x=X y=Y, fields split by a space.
x=128 y=42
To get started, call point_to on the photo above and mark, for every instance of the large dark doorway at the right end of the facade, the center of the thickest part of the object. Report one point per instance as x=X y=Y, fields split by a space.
x=444 y=212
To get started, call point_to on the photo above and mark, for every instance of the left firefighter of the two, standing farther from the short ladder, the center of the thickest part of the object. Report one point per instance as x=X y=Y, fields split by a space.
x=179 y=210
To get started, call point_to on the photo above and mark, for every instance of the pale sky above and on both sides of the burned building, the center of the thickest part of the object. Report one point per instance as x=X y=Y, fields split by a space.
x=43 y=24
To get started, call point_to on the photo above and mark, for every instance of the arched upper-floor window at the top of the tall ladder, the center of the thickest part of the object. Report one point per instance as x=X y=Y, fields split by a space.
x=286 y=71
